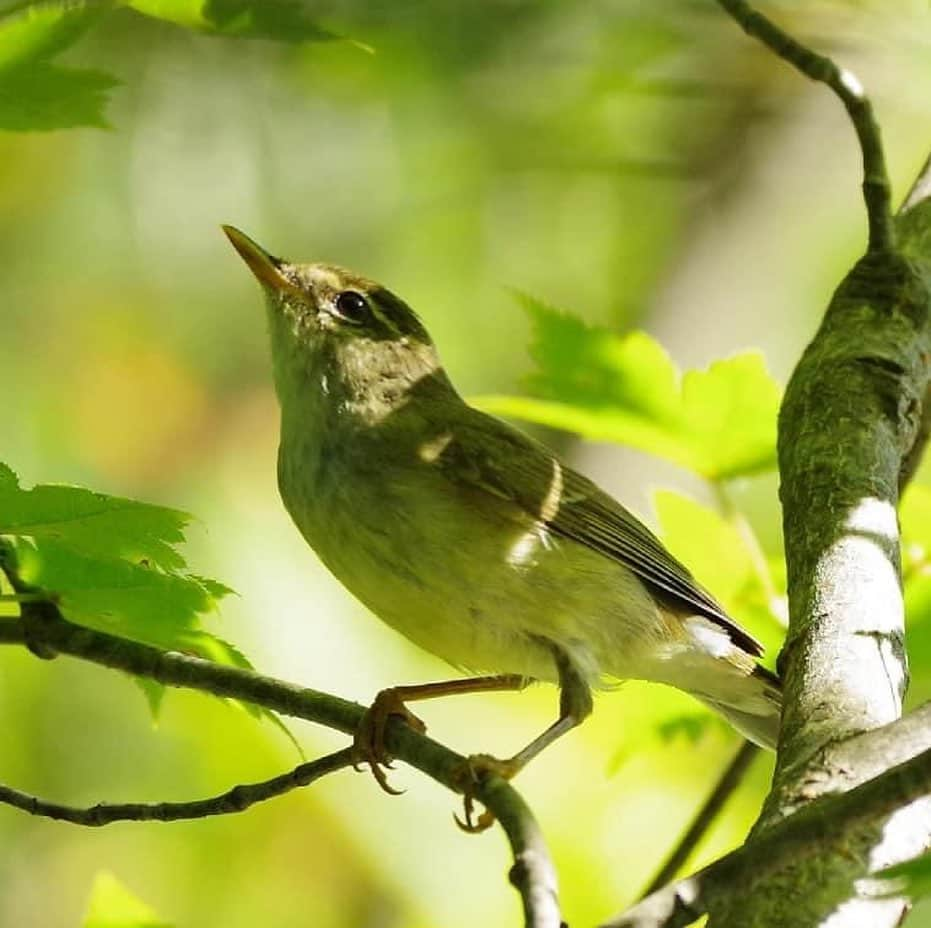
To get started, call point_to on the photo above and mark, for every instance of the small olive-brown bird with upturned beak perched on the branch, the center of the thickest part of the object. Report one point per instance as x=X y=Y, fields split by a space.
x=469 y=537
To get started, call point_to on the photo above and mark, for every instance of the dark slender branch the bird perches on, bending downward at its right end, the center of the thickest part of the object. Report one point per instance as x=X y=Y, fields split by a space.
x=532 y=874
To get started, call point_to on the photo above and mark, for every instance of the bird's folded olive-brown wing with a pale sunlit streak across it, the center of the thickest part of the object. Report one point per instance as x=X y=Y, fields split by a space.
x=494 y=457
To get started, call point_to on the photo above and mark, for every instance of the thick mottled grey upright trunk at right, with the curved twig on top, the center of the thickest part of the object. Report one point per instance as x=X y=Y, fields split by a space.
x=851 y=431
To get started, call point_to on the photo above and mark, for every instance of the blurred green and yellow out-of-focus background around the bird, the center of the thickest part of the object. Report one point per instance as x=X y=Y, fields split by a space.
x=642 y=164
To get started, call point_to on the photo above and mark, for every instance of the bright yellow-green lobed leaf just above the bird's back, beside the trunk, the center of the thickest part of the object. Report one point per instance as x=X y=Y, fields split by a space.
x=719 y=422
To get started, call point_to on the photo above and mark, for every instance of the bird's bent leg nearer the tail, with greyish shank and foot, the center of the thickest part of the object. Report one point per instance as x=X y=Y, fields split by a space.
x=575 y=705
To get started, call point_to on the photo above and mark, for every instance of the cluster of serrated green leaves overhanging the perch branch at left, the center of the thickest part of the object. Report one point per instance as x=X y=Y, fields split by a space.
x=113 y=564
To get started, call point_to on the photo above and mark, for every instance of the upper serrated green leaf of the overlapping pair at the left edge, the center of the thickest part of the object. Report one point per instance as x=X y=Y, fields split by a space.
x=97 y=525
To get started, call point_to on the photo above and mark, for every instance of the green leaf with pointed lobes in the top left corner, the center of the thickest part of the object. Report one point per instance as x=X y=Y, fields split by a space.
x=36 y=94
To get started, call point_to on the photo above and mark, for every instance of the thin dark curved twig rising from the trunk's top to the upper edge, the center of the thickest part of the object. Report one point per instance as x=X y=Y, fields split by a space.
x=876 y=189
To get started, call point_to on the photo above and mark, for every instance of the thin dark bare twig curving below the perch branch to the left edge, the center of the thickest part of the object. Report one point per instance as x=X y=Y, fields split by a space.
x=238 y=799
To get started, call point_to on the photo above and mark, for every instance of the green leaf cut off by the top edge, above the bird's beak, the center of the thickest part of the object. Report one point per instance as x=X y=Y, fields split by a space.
x=281 y=20
